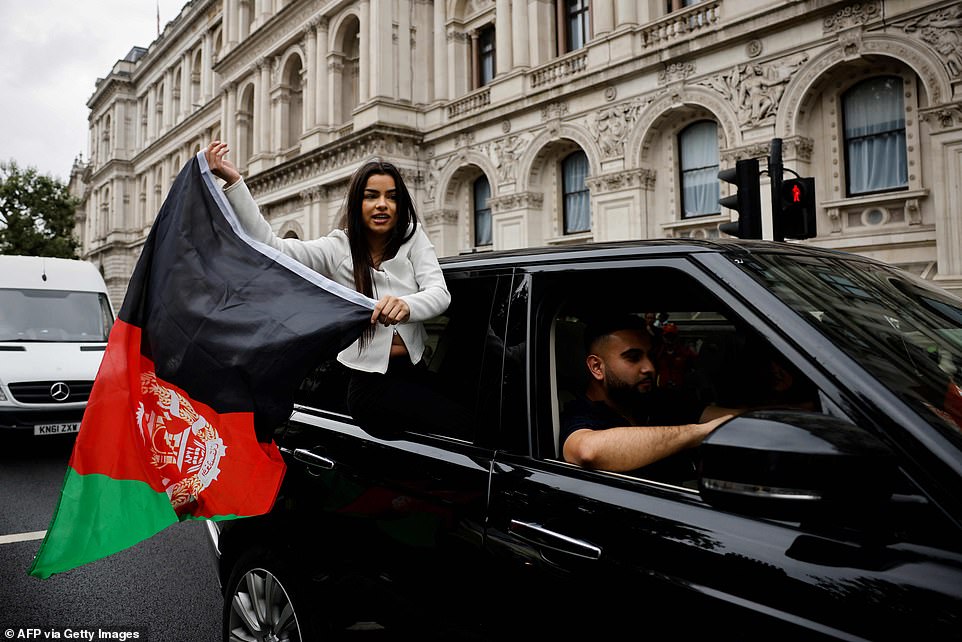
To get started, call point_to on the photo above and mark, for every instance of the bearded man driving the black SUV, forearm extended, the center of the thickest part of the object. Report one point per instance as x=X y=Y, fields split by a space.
x=624 y=422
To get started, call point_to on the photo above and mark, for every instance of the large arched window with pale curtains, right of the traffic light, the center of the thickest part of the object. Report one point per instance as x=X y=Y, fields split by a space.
x=873 y=116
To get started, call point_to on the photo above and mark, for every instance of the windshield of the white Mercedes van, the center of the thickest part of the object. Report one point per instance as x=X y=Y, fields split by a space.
x=54 y=315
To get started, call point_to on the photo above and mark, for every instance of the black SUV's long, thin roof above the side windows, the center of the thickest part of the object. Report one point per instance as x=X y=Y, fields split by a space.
x=636 y=249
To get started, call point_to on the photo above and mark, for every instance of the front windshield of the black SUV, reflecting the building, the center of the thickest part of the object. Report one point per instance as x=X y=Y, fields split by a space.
x=905 y=331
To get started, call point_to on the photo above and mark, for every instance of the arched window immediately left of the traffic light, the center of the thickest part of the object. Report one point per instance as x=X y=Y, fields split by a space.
x=698 y=164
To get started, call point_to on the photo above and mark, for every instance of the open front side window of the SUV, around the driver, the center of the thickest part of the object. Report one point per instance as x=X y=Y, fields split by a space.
x=702 y=353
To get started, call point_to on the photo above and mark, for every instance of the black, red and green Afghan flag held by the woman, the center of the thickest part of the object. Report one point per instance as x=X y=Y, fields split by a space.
x=214 y=336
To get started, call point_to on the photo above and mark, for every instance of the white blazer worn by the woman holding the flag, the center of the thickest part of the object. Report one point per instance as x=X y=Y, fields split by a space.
x=413 y=275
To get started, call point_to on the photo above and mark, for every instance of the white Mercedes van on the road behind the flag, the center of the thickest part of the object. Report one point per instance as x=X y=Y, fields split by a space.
x=55 y=317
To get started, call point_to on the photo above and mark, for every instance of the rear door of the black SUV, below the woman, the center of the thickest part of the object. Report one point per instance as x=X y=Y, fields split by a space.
x=405 y=515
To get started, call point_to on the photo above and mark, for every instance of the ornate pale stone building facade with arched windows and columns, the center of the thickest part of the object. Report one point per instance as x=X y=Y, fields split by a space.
x=535 y=122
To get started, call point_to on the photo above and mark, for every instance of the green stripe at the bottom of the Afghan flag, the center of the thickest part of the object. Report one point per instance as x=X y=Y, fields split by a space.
x=98 y=516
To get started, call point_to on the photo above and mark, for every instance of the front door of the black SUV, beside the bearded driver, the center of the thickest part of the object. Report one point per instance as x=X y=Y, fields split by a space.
x=622 y=554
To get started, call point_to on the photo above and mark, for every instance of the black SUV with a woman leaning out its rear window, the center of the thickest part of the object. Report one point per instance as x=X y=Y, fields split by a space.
x=839 y=521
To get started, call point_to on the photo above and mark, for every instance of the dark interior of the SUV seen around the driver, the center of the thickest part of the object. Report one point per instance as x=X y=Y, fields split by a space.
x=724 y=361
